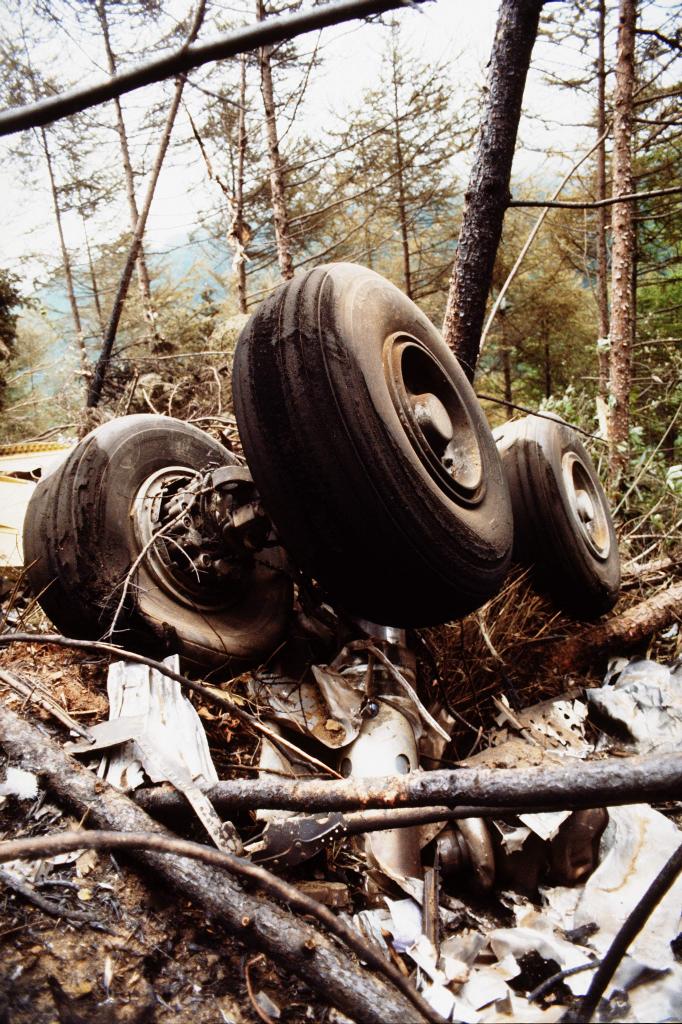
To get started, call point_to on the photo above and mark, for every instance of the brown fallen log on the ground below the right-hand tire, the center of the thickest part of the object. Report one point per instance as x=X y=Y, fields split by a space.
x=632 y=627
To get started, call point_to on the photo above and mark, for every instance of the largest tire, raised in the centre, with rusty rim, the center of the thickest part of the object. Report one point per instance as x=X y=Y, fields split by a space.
x=346 y=395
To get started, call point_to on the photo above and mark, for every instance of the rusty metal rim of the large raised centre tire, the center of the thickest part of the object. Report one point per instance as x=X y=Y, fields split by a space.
x=435 y=419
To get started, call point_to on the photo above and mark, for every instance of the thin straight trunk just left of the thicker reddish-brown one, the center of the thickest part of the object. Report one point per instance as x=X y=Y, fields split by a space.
x=603 y=266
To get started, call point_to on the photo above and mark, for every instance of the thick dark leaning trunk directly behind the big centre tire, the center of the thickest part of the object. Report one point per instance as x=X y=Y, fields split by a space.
x=488 y=192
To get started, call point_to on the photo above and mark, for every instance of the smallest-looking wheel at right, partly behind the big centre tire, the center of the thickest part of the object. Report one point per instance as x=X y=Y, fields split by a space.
x=563 y=525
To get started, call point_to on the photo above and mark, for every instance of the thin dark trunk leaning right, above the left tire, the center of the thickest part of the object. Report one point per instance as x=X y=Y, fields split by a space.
x=97 y=385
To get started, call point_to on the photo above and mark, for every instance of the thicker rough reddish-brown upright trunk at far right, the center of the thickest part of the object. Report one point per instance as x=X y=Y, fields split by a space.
x=623 y=246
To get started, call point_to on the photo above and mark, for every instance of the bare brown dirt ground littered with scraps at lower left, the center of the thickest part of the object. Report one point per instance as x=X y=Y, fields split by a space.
x=145 y=956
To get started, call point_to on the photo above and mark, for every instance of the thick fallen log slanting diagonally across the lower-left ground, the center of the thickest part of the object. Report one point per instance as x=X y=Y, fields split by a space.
x=252 y=918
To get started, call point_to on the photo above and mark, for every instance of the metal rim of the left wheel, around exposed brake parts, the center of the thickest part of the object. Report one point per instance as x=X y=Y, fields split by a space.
x=168 y=559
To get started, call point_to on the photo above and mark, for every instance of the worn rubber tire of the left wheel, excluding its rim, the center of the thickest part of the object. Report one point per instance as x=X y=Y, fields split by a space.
x=80 y=544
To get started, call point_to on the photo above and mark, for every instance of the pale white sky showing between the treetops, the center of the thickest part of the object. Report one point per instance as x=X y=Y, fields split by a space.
x=459 y=31
